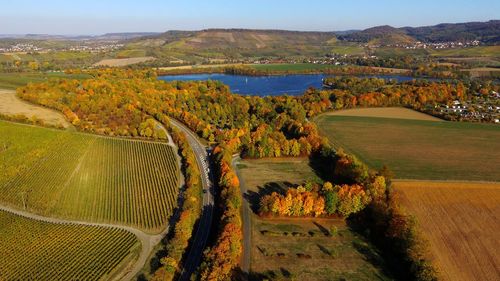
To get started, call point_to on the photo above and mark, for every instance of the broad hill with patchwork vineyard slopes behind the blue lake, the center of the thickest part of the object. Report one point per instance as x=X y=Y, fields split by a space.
x=234 y=43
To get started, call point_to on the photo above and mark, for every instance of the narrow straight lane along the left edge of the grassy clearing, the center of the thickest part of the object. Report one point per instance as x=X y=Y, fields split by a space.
x=247 y=222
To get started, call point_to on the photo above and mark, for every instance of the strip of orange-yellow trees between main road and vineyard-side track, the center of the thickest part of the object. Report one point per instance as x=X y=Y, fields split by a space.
x=190 y=210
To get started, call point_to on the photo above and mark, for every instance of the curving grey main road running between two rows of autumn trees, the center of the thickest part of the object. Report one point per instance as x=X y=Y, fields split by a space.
x=201 y=236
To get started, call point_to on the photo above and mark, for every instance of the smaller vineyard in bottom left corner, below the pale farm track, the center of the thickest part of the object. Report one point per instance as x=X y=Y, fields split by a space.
x=35 y=250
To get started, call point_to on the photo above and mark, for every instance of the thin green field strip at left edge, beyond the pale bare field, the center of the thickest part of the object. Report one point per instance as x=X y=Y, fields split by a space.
x=15 y=80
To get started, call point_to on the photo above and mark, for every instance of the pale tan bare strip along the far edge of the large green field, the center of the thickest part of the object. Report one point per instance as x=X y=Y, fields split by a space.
x=386 y=112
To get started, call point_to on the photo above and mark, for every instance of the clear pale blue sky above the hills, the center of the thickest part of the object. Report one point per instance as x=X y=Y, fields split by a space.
x=102 y=16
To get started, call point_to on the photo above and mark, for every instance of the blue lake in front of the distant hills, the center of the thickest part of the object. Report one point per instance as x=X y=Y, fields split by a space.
x=293 y=84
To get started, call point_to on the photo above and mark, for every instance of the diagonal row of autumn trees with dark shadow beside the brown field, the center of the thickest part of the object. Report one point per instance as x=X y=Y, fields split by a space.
x=382 y=220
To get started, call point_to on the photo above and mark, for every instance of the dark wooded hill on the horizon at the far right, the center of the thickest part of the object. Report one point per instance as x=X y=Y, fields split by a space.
x=486 y=32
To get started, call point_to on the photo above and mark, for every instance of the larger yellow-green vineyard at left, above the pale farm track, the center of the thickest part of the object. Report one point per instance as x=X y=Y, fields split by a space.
x=85 y=177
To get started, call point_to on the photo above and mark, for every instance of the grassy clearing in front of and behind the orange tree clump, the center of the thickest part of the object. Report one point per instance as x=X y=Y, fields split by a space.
x=301 y=249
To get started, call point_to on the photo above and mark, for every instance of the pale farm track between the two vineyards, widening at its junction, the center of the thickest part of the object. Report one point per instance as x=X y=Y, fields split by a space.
x=147 y=241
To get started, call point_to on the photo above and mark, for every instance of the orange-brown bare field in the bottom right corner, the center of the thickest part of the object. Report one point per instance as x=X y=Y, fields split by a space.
x=461 y=222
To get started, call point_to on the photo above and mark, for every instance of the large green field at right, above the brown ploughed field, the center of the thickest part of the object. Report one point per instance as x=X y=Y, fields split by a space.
x=418 y=149
